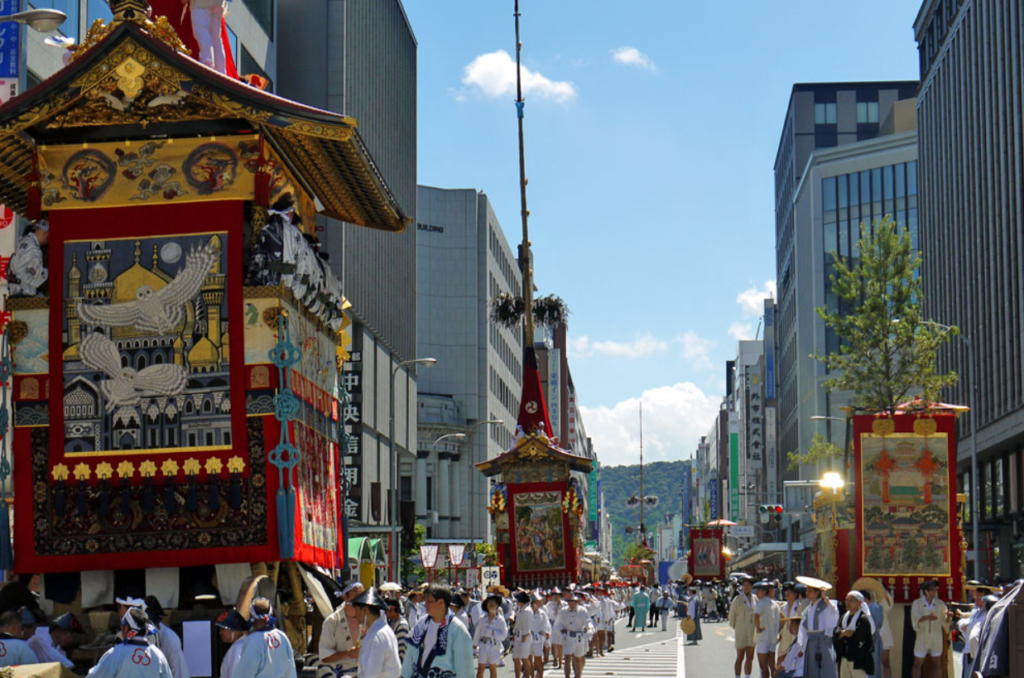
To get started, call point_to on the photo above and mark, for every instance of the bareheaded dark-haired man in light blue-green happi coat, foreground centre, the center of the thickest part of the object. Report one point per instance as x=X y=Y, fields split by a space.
x=440 y=646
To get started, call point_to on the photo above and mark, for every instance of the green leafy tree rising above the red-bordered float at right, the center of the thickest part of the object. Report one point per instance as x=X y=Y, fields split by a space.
x=888 y=351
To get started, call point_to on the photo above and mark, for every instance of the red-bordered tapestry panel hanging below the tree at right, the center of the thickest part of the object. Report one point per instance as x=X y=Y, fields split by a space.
x=907 y=528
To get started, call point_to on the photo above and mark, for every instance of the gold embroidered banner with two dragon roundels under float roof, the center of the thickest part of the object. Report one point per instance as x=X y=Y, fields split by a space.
x=124 y=174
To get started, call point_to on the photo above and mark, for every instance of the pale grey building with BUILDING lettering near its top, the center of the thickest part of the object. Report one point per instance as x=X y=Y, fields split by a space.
x=464 y=262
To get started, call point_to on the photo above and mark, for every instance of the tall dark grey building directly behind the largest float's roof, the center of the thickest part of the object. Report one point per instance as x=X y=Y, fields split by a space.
x=359 y=59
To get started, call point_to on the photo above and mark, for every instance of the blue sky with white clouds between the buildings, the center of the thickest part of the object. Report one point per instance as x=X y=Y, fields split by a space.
x=652 y=132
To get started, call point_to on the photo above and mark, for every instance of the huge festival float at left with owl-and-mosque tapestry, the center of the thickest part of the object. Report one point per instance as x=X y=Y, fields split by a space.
x=175 y=386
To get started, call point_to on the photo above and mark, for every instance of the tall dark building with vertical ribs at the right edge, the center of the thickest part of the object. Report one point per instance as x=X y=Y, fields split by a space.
x=972 y=168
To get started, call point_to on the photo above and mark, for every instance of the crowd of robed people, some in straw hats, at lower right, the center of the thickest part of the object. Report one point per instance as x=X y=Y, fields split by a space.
x=795 y=631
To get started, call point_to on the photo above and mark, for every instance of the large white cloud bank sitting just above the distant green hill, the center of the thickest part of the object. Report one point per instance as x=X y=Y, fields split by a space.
x=674 y=419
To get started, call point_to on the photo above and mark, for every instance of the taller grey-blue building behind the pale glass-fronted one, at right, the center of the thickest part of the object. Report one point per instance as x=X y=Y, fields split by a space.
x=819 y=117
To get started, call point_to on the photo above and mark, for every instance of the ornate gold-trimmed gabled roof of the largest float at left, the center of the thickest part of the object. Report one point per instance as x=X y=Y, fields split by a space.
x=130 y=81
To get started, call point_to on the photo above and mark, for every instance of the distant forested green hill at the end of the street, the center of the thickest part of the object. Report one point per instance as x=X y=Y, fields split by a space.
x=620 y=483
